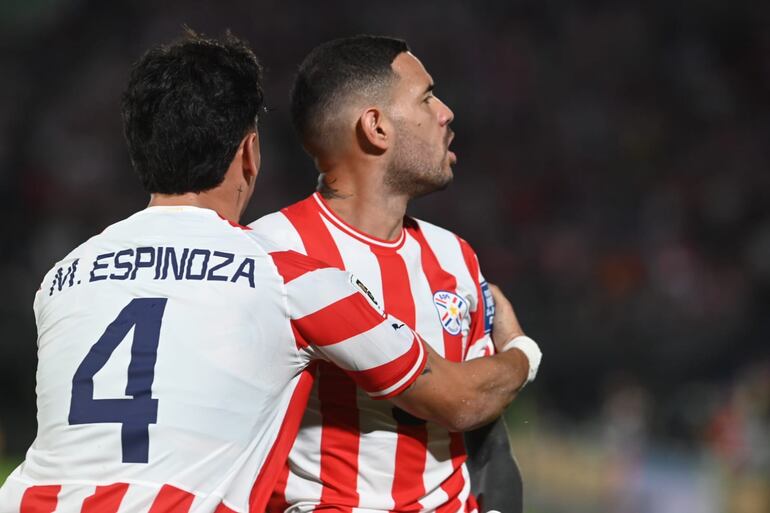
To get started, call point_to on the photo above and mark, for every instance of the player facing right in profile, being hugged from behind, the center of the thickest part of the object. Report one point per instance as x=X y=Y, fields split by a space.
x=366 y=112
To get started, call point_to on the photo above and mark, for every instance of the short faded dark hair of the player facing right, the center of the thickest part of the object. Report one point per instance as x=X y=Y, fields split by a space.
x=336 y=69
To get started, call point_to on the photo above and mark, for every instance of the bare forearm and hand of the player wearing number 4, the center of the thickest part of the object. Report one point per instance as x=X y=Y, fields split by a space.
x=463 y=396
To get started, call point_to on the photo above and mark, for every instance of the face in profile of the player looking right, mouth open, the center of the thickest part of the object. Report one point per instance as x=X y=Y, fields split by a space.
x=421 y=161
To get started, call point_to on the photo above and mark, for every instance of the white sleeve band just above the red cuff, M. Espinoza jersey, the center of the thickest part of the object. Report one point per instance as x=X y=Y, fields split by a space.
x=372 y=348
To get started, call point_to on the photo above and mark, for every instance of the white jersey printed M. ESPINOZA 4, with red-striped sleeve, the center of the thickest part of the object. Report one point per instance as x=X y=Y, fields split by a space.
x=173 y=357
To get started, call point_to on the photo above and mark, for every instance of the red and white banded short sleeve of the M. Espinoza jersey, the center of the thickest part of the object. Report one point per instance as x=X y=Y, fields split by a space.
x=334 y=317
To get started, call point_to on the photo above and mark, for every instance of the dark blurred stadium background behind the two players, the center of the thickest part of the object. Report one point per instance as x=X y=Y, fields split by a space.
x=613 y=177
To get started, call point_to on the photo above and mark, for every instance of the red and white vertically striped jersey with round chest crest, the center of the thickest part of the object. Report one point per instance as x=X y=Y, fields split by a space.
x=355 y=454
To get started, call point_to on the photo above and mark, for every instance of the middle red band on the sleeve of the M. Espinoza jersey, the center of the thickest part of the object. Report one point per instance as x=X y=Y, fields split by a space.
x=323 y=328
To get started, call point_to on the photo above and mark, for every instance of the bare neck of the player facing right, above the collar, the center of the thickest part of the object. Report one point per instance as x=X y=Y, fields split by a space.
x=364 y=206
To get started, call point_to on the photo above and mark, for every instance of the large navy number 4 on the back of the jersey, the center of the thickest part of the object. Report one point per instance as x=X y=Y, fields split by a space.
x=135 y=414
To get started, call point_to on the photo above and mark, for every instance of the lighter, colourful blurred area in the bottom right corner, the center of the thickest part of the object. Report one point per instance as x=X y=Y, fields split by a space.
x=616 y=462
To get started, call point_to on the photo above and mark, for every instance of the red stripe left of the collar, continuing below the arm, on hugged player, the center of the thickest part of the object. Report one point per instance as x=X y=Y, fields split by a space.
x=336 y=391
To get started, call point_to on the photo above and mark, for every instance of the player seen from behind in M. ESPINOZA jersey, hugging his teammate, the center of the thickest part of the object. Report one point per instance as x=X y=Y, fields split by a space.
x=174 y=347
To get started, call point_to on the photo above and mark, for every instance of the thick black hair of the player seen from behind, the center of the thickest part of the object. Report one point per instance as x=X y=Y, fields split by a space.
x=186 y=109
